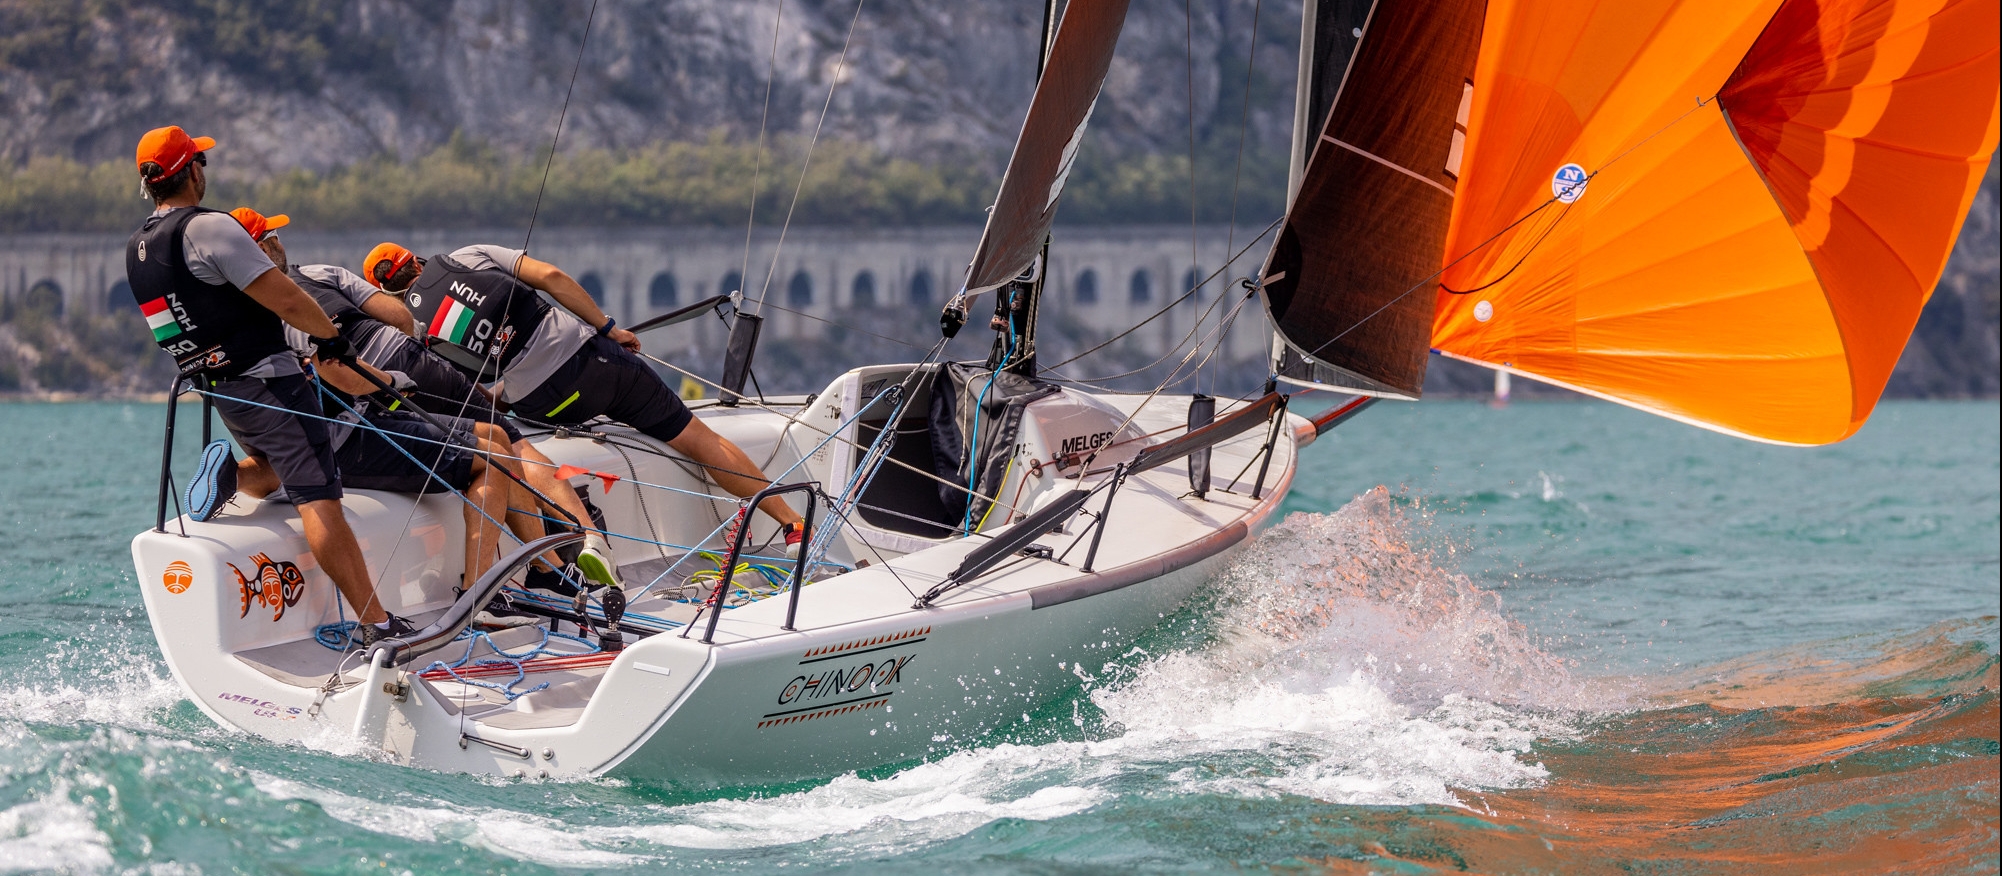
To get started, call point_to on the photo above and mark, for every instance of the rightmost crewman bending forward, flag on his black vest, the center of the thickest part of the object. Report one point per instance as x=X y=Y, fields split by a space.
x=481 y=311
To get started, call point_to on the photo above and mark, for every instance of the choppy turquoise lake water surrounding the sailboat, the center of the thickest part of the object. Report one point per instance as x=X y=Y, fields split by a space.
x=1563 y=637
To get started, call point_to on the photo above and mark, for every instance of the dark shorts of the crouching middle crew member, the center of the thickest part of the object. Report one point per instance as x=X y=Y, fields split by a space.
x=405 y=453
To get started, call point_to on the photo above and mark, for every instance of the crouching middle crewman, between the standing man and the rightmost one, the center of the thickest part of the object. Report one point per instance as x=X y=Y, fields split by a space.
x=379 y=329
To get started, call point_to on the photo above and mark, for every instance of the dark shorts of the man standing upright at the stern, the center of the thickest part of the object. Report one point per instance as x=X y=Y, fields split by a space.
x=279 y=421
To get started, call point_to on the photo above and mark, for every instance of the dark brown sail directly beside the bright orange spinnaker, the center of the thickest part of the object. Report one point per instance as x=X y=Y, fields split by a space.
x=1350 y=281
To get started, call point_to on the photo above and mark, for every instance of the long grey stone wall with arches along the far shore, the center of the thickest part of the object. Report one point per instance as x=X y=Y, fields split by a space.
x=882 y=281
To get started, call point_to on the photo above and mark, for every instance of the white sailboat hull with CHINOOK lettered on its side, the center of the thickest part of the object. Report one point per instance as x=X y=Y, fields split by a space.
x=864 y=681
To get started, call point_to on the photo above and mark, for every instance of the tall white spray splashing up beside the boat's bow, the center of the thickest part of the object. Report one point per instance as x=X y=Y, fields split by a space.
x=1352 y=669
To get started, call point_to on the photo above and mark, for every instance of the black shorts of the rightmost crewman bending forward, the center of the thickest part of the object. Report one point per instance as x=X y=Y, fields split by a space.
x=612 y=381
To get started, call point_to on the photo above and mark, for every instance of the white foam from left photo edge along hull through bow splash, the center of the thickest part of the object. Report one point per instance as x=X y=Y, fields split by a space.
x=1332 y=661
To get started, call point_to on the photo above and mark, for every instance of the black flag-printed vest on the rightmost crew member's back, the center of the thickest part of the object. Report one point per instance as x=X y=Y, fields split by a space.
x=477 y=321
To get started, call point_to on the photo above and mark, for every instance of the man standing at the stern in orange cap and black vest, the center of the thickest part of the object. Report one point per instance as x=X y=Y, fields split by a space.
x=217 y=305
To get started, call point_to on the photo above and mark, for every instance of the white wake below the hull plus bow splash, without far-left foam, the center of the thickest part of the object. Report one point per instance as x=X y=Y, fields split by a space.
x=1336 y=663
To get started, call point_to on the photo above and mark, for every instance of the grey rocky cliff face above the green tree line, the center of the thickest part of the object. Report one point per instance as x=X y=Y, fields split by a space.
x=327 y=83
